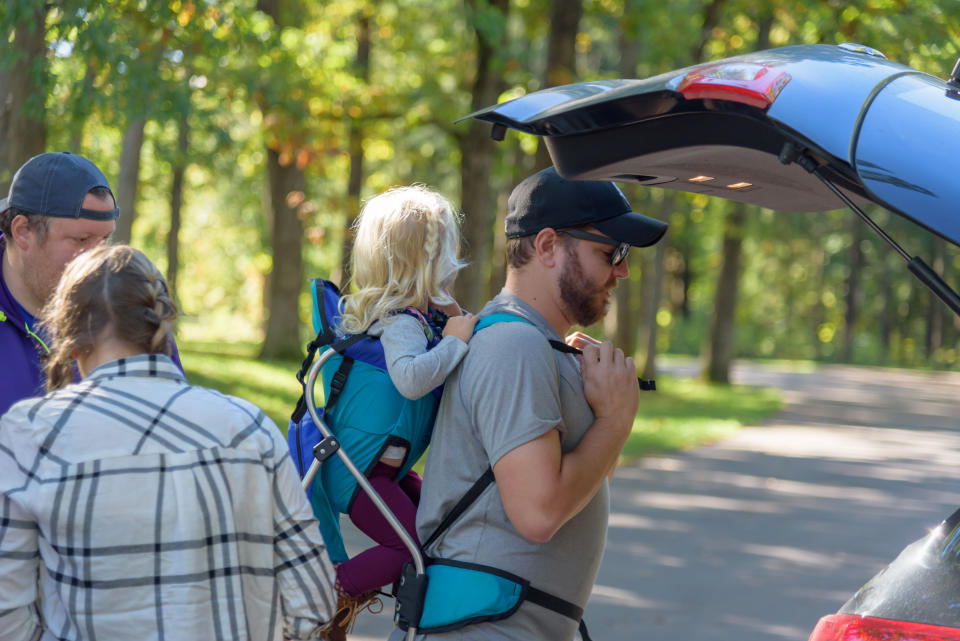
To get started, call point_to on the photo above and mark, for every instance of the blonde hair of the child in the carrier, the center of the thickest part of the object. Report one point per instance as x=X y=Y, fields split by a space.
x=405 y=254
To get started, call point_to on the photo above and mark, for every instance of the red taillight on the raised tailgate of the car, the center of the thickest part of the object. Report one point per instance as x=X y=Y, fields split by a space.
x=751 y=83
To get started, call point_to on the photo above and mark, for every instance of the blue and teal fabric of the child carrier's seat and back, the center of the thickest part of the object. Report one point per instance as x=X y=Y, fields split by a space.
x=363 y=409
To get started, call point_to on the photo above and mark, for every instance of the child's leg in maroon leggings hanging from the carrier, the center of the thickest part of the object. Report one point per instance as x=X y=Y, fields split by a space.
x=381 y=564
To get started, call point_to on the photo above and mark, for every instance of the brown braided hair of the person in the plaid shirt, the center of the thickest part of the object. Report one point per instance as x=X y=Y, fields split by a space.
x=111 y=287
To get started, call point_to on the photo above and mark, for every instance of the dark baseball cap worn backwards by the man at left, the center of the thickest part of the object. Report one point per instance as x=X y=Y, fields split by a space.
x=55 y=184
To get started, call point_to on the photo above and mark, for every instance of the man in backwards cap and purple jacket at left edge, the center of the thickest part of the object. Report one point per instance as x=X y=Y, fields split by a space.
x=59 y=205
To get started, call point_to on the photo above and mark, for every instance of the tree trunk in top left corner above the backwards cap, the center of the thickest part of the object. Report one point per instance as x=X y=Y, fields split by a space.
x=23 y=132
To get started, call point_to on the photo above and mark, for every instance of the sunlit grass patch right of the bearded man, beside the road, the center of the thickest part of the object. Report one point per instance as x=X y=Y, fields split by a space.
x=685 y=412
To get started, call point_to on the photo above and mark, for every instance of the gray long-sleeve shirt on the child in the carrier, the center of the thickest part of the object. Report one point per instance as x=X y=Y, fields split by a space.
x=415 y=370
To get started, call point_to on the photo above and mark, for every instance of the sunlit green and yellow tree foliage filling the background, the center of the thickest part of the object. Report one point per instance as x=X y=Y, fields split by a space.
x=247 y=80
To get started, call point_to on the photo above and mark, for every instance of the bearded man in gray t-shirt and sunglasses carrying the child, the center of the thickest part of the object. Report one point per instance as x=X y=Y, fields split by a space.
x=550 y=424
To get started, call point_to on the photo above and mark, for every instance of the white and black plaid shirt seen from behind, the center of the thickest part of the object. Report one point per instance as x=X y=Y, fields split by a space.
x=152 y=509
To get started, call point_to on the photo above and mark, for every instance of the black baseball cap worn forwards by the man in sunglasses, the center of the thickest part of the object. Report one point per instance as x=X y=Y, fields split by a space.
x=547 y=200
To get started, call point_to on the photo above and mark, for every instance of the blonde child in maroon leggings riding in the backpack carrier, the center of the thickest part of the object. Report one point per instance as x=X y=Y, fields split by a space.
x=404 y=261
